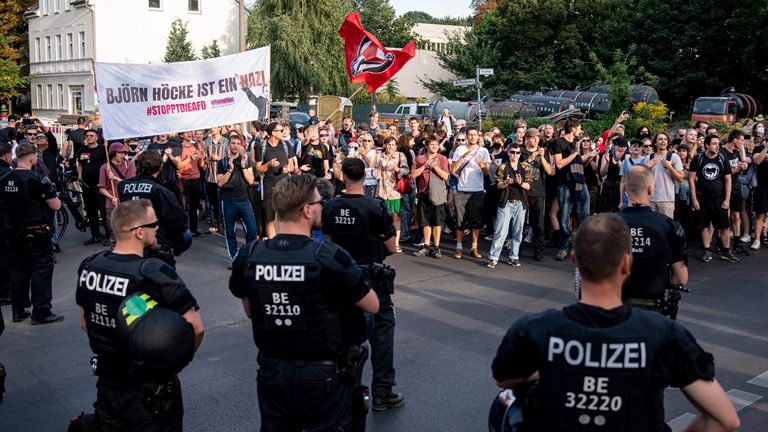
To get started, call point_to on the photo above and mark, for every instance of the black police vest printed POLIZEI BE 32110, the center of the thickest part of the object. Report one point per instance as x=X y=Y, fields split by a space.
x=289 y=317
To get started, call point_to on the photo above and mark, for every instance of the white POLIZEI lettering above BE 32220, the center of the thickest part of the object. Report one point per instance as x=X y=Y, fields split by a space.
x=626 y=355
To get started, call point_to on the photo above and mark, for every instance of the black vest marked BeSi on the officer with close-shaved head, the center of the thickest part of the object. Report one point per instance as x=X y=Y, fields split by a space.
x=650 y=270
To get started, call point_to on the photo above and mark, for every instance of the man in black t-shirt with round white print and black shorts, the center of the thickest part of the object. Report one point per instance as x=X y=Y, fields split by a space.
x=710 y=181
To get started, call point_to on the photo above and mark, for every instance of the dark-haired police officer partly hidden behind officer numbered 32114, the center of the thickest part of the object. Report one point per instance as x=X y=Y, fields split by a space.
x=173 y=236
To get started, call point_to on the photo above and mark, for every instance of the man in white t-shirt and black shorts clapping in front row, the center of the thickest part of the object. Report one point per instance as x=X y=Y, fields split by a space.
x=469 y=164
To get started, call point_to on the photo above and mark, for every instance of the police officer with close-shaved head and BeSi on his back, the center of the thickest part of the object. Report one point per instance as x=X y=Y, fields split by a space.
x=660 y=254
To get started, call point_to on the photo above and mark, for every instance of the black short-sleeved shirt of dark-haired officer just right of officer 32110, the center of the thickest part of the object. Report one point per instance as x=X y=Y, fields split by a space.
x=356 y=223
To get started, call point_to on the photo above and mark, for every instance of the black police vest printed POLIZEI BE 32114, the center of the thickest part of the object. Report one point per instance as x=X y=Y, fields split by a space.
x=103 y=284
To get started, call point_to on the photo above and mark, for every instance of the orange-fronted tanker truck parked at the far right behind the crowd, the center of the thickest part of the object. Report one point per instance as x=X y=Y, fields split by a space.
x=729 y=107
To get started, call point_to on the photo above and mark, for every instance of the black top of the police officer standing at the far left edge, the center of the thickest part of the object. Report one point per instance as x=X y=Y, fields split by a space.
x=22 y=208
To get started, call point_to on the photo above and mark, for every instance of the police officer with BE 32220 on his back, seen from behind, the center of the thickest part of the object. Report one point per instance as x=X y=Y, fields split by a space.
x=602 y=365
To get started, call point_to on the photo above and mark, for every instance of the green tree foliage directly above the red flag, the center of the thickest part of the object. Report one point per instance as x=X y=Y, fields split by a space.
x=378 y=17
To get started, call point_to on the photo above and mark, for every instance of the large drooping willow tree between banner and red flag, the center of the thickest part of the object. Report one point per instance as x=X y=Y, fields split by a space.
x=307 y=52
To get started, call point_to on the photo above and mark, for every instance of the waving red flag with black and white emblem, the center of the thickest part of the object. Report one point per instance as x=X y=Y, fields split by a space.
x=367 y=59
